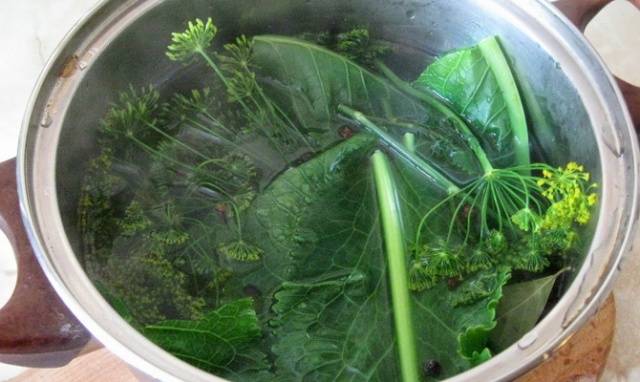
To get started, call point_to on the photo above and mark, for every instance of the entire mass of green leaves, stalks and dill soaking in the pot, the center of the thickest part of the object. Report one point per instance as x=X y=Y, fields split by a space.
x=309 y=215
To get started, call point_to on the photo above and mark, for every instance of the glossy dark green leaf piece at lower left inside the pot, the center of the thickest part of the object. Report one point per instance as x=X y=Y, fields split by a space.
x=221 y=339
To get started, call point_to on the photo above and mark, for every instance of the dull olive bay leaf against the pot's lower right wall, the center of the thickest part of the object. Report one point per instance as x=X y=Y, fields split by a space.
x=520 y=309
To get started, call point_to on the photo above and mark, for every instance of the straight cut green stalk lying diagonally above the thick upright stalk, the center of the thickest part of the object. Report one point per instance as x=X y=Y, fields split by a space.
x=418 y=162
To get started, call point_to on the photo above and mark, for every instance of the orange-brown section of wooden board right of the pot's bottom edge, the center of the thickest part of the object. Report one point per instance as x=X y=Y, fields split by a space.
x=584 y=356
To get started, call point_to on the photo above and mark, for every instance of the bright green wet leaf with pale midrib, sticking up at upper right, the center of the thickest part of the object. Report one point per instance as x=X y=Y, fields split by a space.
x=480 y=86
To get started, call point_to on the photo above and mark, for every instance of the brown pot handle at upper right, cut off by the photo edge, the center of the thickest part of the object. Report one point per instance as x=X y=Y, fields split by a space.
x=581 y=12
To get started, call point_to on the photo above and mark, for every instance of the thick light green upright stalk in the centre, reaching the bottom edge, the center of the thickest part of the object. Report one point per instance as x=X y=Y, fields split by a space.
x=397 y=260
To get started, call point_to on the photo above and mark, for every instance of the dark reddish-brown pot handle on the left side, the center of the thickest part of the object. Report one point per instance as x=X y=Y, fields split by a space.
x=36 y=328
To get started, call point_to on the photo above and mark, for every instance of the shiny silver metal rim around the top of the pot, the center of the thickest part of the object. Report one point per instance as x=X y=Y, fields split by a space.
x=596 y=86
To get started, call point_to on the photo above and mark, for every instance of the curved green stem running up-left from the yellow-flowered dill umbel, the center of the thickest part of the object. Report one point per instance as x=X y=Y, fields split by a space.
x=437 y=104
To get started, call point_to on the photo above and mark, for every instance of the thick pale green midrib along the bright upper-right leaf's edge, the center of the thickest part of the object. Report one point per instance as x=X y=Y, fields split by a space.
x=492 y=53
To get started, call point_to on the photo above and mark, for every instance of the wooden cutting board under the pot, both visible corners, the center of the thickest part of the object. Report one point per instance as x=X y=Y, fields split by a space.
x=581 y=359
